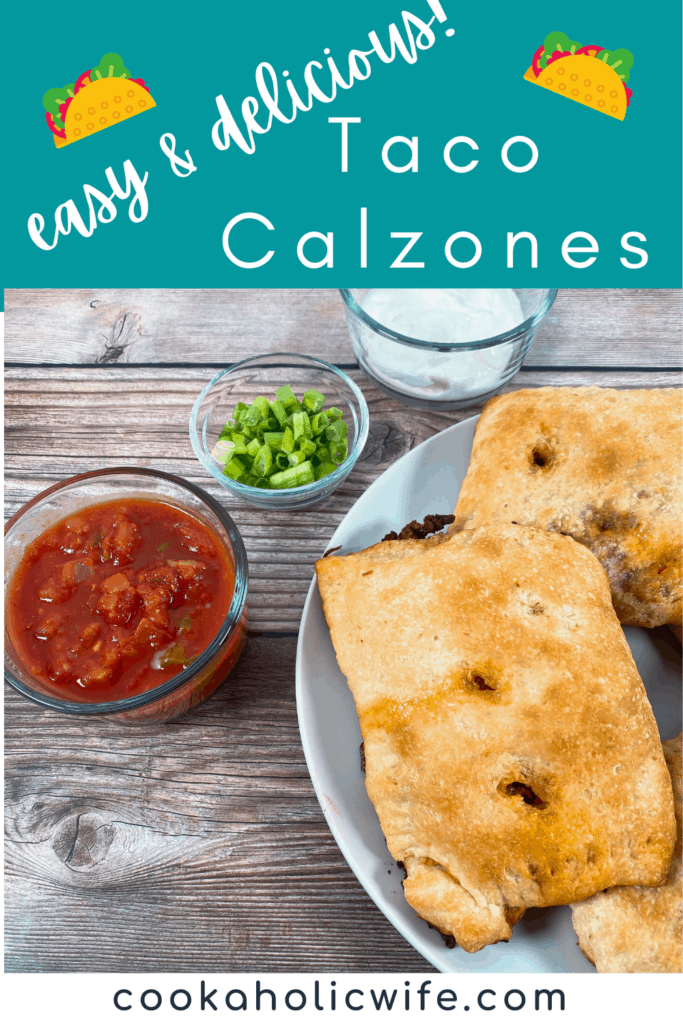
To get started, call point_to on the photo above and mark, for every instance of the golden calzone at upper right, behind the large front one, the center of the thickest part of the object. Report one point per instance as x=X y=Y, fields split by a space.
x=601 y=465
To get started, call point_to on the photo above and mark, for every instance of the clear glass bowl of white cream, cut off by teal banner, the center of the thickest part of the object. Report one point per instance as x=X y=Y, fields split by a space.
x=432 y=374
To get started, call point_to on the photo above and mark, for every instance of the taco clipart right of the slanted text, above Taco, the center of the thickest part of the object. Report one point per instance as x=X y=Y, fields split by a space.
x=589 y=75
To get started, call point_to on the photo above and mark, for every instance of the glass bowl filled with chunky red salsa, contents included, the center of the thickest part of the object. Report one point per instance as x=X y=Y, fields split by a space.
x=125 y=595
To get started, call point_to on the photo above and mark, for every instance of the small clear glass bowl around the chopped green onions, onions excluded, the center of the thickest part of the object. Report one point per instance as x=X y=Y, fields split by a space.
x=262 y=375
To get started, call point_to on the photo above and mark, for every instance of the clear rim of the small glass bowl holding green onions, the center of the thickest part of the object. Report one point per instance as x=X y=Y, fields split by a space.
x=309 y=489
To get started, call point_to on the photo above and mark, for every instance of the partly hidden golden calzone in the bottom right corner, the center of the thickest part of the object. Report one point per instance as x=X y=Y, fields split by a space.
x=632 y=929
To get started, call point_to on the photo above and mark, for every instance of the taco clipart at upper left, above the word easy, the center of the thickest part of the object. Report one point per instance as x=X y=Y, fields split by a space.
x=100 y=98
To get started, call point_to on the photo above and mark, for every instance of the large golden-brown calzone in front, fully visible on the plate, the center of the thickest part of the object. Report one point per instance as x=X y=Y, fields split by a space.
x=511 y=752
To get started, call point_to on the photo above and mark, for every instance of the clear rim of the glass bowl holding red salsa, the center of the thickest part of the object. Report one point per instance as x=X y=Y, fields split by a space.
x=233 y=618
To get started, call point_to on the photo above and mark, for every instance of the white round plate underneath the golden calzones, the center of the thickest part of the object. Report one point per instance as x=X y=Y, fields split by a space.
x=425 y=481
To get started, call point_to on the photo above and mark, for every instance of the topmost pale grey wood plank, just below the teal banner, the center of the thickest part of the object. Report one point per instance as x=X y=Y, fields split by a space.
x=586 y=327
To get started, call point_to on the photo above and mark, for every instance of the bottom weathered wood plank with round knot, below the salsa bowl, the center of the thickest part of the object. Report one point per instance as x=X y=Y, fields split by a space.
x=198 y=845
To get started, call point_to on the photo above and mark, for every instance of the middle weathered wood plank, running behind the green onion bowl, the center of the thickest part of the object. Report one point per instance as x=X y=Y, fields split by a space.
x=63 y=422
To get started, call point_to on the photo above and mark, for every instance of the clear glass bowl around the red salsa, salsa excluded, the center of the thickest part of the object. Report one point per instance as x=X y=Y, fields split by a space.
x=196 y=682
